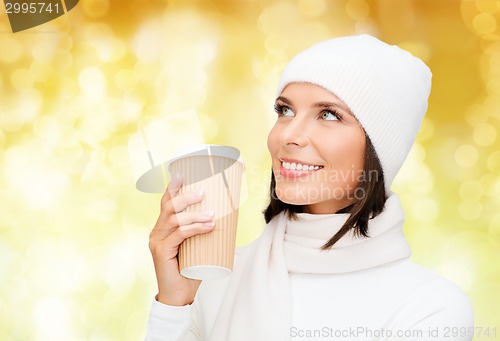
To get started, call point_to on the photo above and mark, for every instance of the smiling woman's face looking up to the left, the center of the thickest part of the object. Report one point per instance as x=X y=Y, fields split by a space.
x=317 y=148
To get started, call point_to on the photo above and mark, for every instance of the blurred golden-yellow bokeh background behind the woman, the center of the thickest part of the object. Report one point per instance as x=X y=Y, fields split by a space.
x=74 y=258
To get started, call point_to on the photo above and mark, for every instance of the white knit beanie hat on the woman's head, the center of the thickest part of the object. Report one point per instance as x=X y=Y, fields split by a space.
x=385 y=87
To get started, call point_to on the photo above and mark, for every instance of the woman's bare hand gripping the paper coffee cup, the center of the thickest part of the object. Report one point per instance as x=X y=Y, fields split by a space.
x=171 y=229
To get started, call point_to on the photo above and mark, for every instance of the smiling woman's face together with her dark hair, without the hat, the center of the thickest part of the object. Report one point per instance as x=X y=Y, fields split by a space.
x=347 y=179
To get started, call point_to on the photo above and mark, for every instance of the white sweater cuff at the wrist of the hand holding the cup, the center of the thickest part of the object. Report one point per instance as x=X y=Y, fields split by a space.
x=172 y=323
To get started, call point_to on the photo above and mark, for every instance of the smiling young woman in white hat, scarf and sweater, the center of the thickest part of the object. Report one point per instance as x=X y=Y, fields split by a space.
x=332 y=261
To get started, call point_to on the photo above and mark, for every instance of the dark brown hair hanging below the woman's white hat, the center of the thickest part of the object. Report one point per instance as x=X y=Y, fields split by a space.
x=369 y=206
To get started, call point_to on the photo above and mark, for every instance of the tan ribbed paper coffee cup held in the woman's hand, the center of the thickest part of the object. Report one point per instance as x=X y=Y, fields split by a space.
x=217 y=170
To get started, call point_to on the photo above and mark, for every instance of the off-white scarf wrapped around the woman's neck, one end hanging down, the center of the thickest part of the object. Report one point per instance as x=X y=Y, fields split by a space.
x=257 y=303
